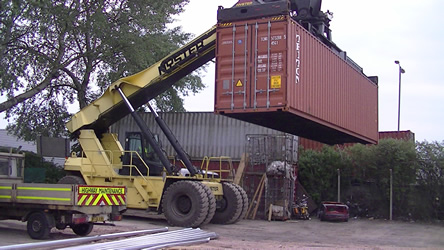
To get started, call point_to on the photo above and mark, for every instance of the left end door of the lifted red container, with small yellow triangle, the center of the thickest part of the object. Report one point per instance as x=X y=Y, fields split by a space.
x=232 y=70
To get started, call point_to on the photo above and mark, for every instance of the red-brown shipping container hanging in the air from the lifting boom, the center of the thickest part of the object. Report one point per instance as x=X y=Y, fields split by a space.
x=274 y=73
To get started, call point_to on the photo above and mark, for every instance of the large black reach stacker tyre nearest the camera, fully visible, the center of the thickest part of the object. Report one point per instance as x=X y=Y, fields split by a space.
x=185 y=204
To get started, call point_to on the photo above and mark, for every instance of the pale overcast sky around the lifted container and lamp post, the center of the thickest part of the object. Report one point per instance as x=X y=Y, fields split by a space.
x=374 y=34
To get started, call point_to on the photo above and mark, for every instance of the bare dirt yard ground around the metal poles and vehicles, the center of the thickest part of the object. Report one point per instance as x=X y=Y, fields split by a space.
x=248 y=234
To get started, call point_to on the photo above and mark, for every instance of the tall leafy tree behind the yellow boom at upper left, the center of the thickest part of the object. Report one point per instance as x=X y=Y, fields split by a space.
x=56 y=53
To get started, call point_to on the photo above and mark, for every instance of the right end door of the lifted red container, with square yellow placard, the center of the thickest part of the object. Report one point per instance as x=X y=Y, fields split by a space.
x=269 y=76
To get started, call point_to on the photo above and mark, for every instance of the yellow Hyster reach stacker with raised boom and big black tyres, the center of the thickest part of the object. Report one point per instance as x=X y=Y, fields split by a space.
x=188 y=200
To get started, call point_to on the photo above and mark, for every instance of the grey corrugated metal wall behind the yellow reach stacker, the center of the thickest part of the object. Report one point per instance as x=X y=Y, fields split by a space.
x=200 y=133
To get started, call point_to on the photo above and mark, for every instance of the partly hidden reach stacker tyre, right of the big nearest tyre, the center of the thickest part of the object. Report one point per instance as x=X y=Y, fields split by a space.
x=229 y=207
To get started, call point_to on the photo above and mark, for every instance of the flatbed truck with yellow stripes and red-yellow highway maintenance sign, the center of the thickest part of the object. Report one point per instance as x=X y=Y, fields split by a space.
x=45 y=206
